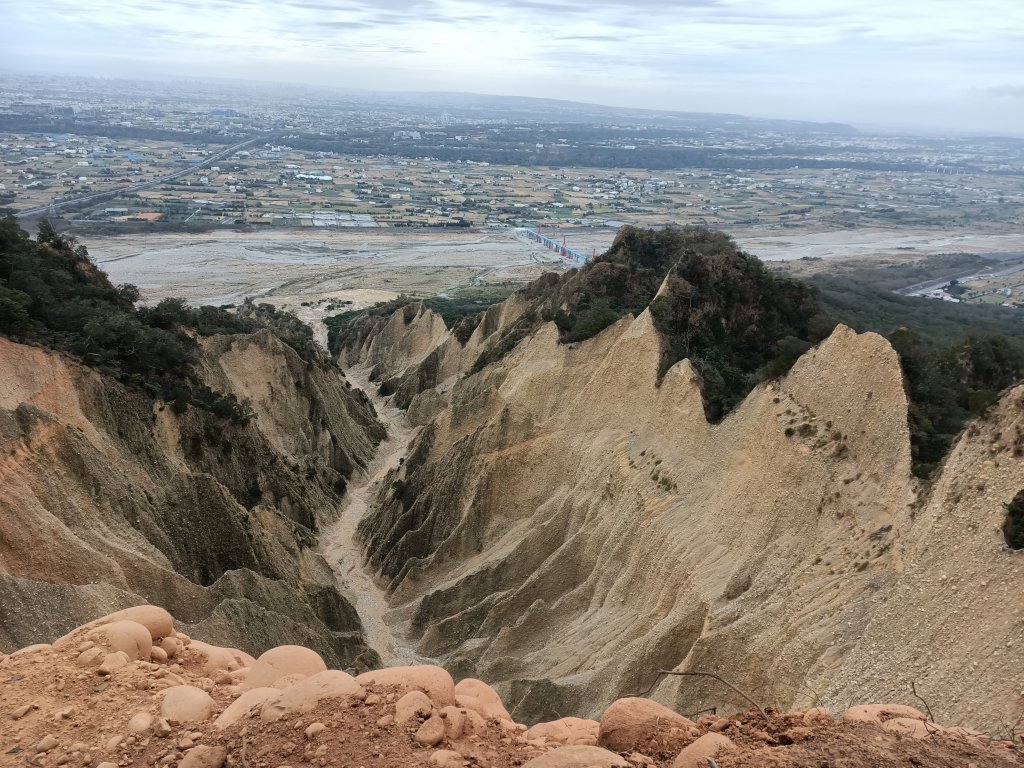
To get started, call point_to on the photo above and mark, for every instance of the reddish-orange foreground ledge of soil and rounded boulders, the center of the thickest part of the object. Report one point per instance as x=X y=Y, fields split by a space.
x=133 y=690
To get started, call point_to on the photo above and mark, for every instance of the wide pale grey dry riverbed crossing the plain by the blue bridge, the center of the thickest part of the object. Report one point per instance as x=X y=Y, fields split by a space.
x=316 y=274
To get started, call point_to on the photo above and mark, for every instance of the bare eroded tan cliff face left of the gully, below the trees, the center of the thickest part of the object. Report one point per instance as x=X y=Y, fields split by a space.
x=109 y=502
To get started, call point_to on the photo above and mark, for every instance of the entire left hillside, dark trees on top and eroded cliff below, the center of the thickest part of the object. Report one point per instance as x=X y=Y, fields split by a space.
x=194 y=472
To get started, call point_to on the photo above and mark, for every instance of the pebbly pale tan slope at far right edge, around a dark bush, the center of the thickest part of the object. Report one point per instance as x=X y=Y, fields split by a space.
x=954 y=623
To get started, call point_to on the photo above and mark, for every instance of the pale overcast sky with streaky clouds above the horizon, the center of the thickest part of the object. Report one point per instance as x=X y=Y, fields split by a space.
x=929 y=65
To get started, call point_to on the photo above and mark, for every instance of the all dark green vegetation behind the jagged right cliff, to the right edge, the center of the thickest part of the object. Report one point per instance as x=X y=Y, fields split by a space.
x=740 y=324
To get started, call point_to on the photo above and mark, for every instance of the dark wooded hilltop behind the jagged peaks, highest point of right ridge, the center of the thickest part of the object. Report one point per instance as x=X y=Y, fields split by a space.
x=717 y=307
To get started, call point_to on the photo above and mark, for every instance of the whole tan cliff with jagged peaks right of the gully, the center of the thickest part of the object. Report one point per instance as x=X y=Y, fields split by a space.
x=566 y=526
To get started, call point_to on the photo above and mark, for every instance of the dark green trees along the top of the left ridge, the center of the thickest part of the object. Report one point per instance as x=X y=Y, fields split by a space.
x=54 y=295
